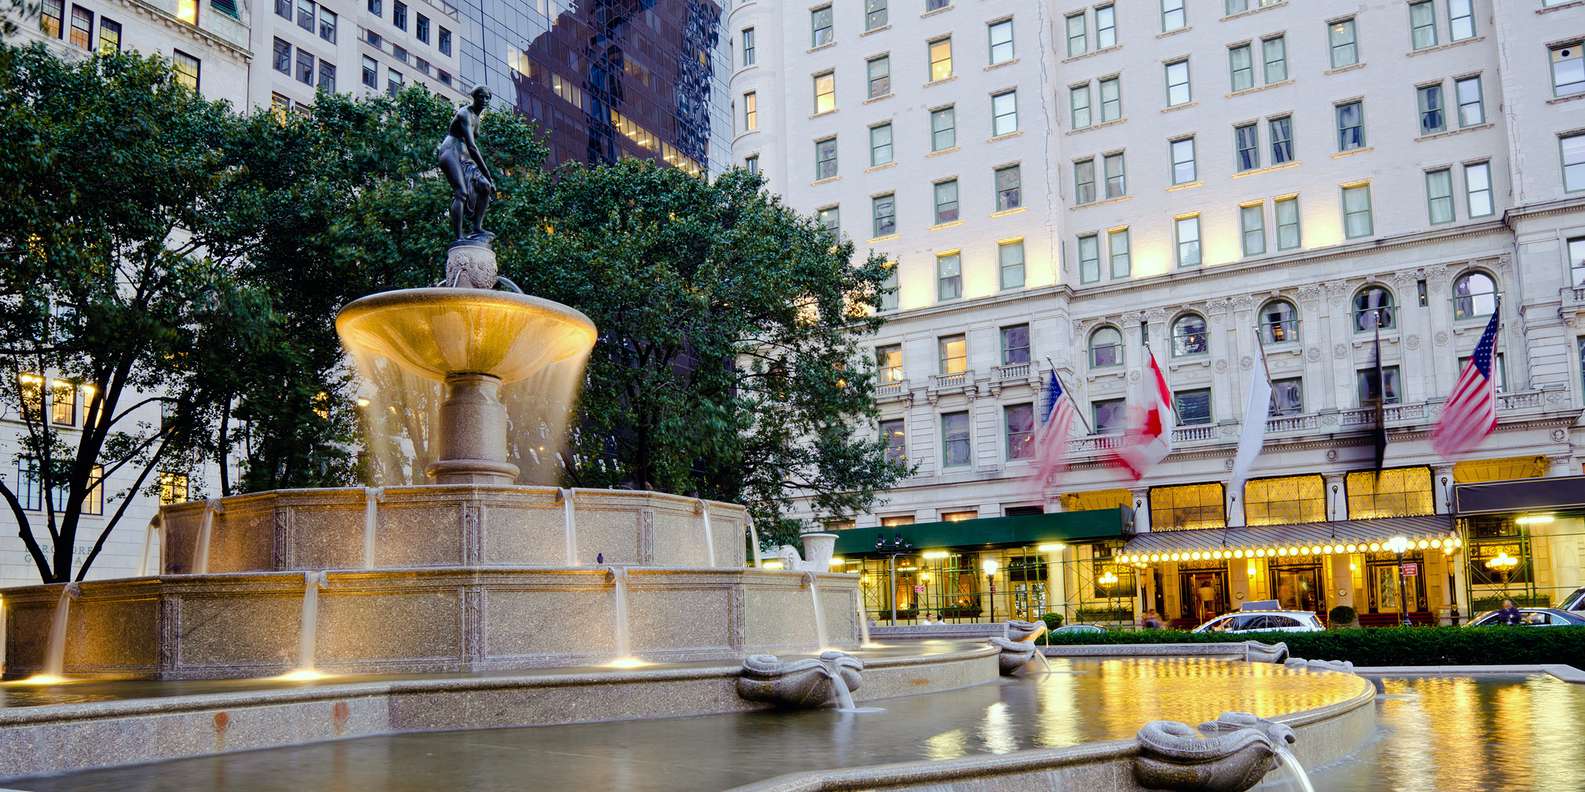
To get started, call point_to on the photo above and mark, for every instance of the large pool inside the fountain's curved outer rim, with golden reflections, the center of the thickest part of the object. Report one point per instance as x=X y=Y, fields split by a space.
x=1082 y=701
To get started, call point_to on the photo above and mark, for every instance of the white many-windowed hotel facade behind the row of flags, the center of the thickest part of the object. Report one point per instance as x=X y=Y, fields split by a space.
x=1074 y=186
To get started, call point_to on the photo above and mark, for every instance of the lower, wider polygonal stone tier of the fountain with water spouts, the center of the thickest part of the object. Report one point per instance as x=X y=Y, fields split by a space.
x=448 y=620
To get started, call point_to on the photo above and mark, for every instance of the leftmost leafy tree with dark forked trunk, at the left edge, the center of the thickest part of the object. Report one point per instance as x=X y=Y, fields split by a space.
x=109 y=289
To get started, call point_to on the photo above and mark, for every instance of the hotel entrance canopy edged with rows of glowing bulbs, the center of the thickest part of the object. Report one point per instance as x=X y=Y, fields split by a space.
x=1305 y=539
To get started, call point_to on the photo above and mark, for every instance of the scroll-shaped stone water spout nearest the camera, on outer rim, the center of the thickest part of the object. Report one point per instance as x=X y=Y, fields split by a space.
x=1229 y=755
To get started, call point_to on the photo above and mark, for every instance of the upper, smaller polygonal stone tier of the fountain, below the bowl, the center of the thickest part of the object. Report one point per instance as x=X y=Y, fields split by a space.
x=453 y=525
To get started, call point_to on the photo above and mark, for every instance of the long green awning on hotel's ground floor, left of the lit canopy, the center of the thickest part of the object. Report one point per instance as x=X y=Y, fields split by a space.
x=1018 y=531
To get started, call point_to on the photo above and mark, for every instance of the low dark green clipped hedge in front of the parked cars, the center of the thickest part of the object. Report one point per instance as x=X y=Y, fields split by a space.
x=1391 y=645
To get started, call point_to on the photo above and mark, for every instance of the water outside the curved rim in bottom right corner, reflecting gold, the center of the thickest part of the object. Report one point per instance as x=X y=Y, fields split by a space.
x=1470 y=734
